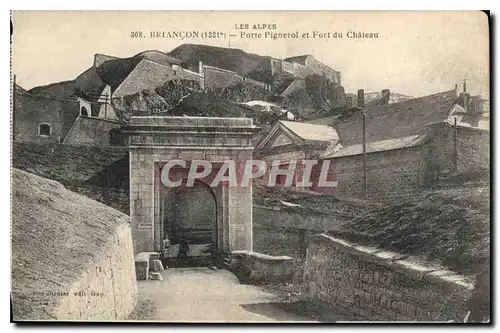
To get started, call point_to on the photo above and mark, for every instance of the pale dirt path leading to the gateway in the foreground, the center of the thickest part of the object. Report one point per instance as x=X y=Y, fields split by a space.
x=205 y=295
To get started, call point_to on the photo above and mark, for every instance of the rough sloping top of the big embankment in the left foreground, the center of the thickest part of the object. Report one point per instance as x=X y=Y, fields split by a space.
x=56 y=235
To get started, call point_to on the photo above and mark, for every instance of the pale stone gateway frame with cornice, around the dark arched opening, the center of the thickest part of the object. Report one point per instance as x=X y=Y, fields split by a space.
x=155 y=140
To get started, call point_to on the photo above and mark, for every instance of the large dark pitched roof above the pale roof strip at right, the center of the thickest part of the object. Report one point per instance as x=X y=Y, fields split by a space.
x=395 y=120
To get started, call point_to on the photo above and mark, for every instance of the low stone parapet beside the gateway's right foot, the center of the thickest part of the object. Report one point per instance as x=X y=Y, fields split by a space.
x=254 y=267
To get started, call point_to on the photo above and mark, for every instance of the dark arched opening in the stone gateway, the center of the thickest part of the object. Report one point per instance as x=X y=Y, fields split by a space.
x=189 y=216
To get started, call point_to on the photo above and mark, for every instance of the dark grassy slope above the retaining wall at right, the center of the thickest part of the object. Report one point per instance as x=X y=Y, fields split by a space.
x=450 y=225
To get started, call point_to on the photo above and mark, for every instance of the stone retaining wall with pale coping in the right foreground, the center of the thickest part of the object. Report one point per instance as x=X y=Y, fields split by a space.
x=371 y=284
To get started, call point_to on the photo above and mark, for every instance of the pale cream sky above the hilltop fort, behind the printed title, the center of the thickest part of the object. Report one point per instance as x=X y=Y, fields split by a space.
x=417 y=53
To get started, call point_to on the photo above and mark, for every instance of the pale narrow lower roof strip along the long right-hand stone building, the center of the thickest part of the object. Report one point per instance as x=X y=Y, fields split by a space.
x=371 y=147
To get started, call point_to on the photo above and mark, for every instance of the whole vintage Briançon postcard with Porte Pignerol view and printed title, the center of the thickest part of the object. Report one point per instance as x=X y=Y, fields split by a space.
x=188 y=166
